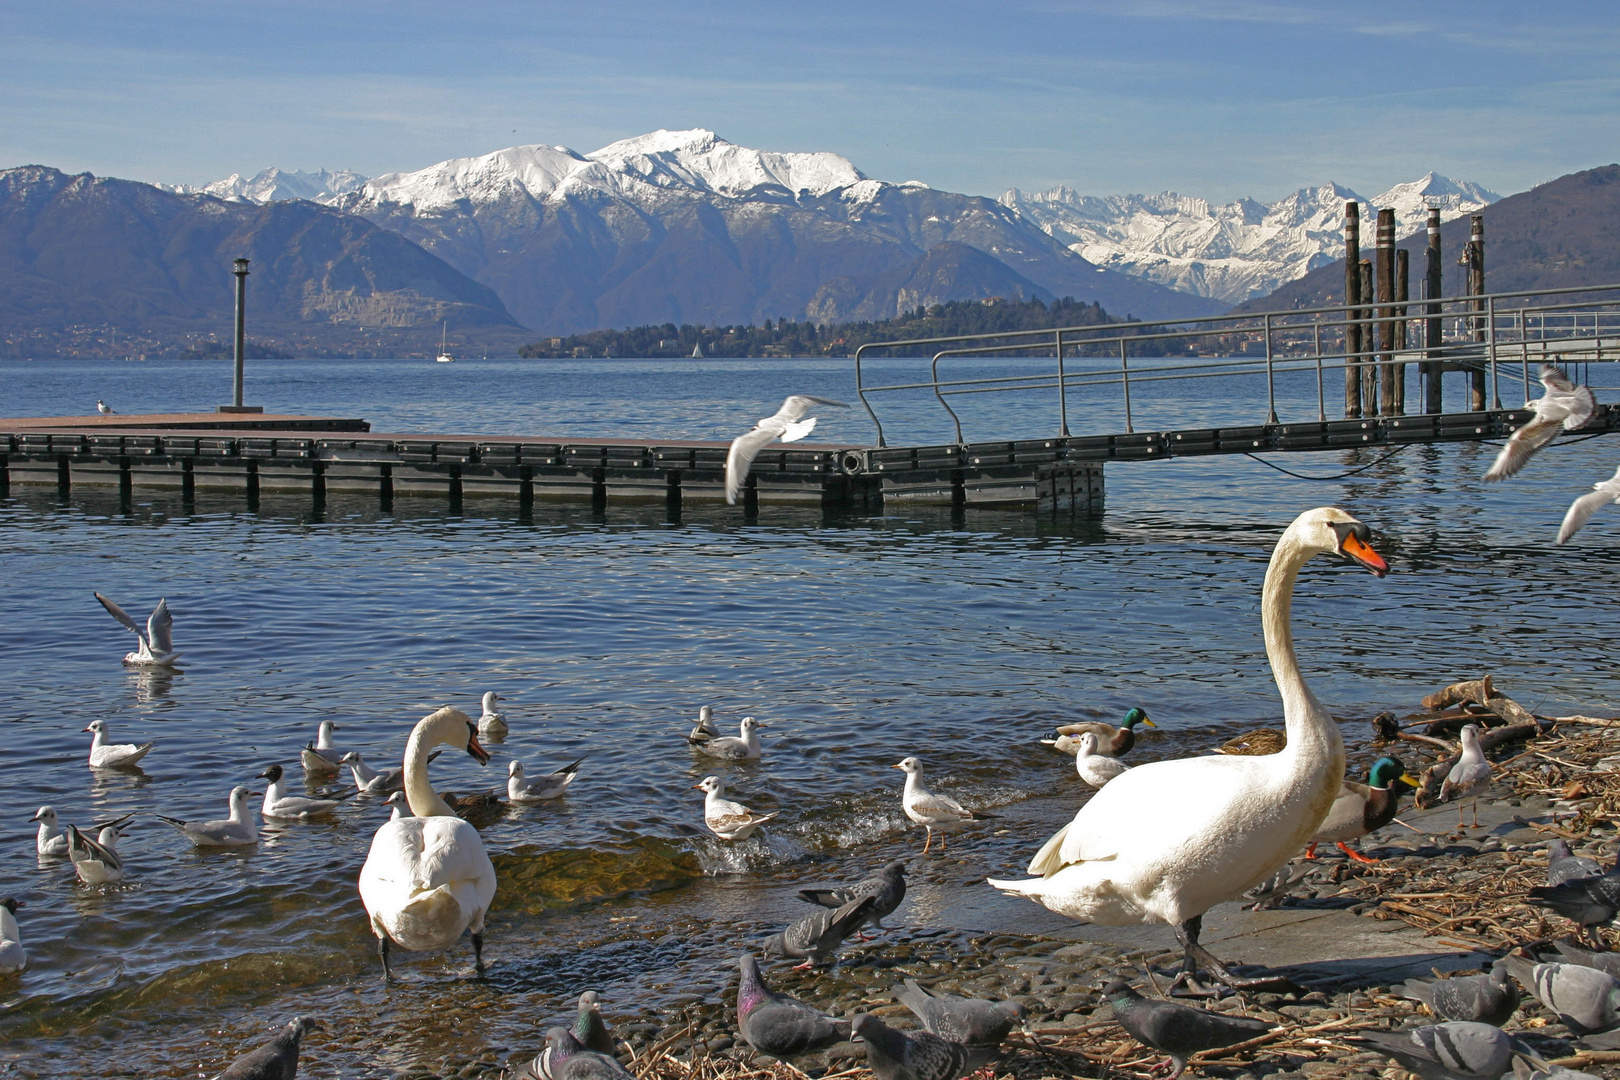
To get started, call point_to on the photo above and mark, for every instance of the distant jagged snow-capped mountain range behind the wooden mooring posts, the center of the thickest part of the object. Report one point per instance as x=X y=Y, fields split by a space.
x=1238 y=250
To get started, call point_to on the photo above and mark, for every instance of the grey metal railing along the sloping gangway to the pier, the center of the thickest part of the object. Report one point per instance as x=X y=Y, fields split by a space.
x=1475 y=334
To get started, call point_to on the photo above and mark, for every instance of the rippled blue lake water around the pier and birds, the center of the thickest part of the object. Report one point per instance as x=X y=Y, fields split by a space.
x=858 y=640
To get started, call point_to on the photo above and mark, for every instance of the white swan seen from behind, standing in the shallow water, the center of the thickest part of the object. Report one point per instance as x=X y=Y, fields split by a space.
x=428 y=878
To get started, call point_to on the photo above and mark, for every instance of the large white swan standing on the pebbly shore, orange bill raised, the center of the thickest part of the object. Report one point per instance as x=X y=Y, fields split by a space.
x=1172 y=840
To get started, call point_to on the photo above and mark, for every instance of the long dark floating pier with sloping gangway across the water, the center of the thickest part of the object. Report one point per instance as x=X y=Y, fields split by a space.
x=252 y=454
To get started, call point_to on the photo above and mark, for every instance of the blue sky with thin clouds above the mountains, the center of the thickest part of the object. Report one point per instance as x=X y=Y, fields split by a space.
x=1214 y=100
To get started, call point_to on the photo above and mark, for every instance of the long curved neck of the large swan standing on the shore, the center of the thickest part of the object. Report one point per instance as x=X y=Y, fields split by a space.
x=1313 y=738
